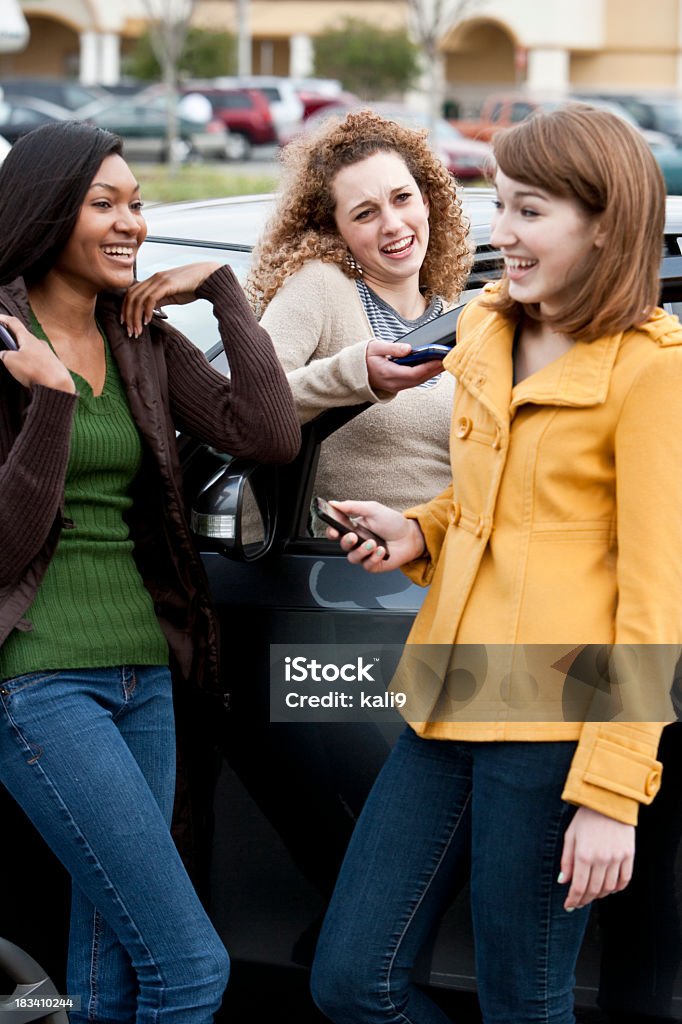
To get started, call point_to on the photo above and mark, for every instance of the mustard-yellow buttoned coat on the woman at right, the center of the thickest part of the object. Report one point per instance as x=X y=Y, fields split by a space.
x=530 y=556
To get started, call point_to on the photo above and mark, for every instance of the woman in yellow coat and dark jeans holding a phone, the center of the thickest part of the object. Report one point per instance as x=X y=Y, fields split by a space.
x=553 y=552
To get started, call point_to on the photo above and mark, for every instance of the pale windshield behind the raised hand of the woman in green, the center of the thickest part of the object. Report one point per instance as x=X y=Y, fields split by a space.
x=196 y=321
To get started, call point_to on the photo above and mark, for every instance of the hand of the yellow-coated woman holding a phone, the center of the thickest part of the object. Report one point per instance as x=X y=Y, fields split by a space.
x=404 y=537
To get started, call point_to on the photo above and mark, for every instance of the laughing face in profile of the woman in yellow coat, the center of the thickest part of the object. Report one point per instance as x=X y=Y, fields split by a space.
x=546 y=241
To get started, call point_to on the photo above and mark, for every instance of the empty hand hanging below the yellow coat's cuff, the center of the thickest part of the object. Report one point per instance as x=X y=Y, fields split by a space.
x=599 y=858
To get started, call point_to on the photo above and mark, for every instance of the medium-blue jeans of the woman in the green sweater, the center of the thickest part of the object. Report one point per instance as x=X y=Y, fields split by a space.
x=91 y=756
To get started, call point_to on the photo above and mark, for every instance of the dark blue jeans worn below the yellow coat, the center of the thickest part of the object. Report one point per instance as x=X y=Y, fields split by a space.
x=438 y=807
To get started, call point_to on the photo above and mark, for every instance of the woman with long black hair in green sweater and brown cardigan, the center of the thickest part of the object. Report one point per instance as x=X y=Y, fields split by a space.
x=103 y=594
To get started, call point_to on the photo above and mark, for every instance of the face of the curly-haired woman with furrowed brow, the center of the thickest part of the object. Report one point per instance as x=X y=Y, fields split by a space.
x=383 y=219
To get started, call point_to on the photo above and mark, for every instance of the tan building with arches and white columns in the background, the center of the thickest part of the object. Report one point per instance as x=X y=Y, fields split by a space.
x=559 y=46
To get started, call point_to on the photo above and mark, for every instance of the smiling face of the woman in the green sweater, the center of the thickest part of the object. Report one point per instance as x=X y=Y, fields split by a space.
x=102 y=250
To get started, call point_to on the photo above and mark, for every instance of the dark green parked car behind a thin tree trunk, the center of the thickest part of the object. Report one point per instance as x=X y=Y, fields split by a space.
x=142 y=121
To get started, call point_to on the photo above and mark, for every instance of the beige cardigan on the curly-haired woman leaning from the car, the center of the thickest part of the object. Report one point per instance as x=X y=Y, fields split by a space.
x=396 y=454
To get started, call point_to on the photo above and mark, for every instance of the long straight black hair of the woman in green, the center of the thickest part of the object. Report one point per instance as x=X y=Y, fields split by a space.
x=44 y=183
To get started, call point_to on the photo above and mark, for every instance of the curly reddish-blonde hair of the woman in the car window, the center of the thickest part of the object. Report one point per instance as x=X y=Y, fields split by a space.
x=304 y=227
